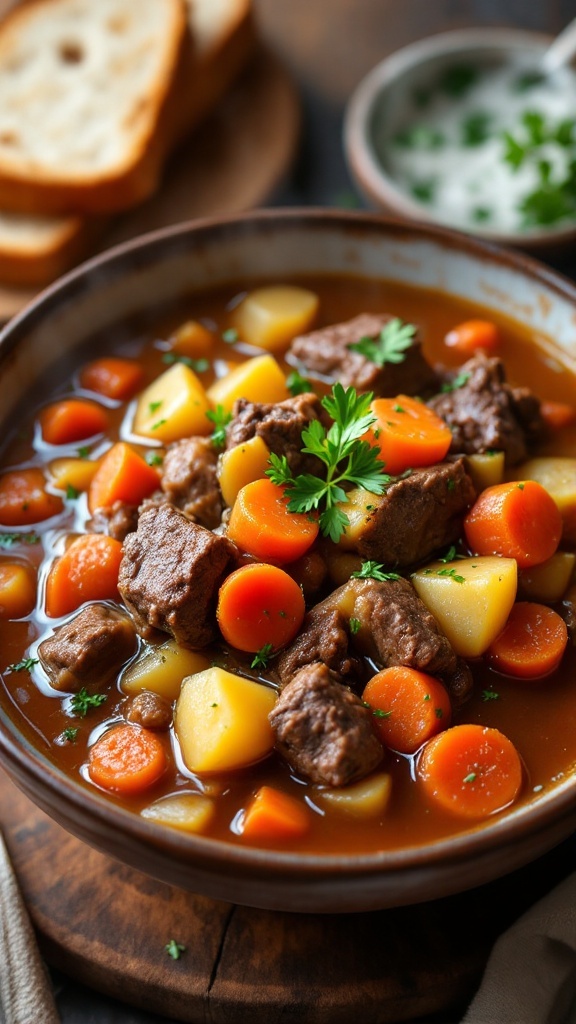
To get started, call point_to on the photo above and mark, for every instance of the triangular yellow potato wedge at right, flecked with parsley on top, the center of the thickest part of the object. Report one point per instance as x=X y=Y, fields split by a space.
x=471 y=600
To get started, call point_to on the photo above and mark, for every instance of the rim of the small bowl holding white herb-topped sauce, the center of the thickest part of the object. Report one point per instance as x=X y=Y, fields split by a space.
x=364 y=165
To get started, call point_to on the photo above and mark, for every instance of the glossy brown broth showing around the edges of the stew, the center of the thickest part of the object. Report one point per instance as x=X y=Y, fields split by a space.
x=540 y=717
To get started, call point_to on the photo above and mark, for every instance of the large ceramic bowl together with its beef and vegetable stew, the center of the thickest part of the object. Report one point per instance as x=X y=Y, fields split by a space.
x=289 y=530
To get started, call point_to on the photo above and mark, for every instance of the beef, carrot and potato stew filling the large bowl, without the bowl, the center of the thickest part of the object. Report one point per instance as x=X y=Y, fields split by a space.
x=295 y=567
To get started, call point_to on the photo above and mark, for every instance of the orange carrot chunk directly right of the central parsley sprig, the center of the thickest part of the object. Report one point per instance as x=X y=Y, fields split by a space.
x=408 y=434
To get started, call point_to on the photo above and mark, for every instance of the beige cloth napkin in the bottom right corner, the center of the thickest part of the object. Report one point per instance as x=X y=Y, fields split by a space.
x=531 y=975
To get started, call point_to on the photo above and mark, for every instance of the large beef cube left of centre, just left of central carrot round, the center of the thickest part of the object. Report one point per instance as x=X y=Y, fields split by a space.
x=171 y=574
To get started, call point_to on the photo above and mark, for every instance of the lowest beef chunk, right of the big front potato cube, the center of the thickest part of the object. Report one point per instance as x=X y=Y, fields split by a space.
x=324 y=731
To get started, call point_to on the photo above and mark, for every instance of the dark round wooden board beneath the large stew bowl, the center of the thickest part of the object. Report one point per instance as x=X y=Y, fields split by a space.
x=107 y=926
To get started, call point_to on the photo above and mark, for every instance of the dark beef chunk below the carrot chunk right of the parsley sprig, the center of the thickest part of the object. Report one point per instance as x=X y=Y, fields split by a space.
x=418 y=516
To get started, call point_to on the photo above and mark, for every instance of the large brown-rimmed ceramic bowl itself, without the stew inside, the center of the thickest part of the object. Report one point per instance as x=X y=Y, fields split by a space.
x=139 y=278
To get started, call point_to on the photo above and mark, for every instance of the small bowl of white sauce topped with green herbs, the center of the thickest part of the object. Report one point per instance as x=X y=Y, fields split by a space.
x=470 y=130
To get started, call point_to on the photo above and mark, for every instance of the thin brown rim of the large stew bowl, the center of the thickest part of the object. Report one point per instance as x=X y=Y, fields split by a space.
x=32 y=771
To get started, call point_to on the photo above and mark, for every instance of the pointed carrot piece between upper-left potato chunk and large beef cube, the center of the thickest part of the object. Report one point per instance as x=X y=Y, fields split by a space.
x=122 y=477
